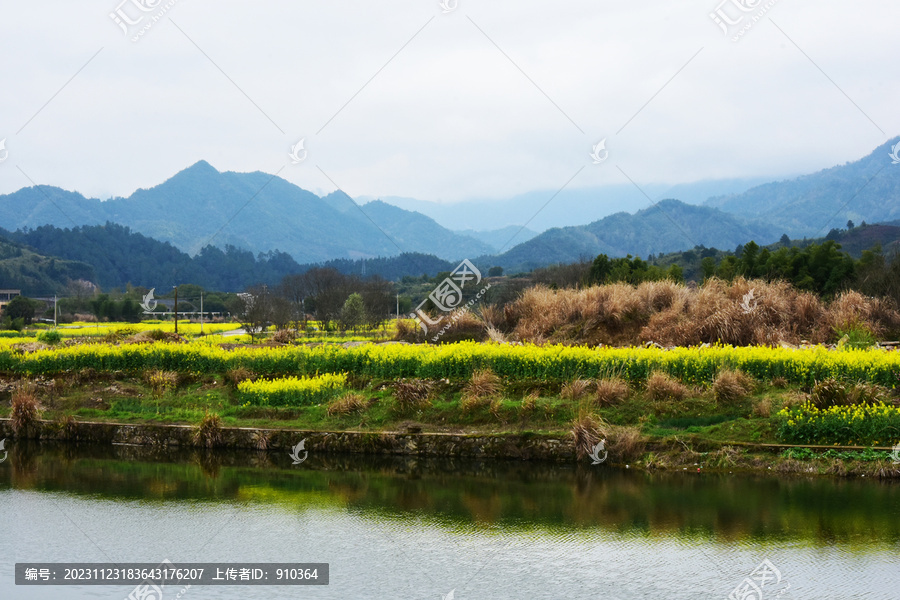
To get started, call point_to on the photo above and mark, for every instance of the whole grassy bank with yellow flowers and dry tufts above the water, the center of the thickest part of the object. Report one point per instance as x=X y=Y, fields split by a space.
x=685 y=408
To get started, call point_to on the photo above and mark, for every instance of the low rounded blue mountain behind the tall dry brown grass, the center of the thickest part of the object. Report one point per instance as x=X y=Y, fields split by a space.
x=668 y=226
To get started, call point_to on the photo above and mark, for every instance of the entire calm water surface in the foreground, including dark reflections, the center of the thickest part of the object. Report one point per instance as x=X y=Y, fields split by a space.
x=421 y=528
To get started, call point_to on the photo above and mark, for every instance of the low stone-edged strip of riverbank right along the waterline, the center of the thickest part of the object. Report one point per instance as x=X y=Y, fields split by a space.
x=687 y=453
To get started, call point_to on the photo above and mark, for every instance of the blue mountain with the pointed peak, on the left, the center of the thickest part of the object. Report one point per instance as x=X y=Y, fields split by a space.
x=255 y=211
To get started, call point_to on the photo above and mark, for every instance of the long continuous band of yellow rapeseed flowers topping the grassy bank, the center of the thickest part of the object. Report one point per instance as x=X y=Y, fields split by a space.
x=458 y=361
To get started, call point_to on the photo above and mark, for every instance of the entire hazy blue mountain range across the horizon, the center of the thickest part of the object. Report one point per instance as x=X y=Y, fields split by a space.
x=271 y=218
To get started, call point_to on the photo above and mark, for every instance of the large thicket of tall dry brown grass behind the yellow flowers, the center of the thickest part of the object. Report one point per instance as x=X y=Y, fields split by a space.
x=673 y=314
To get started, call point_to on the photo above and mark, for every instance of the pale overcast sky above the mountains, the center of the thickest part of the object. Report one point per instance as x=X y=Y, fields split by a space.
x=398 y=98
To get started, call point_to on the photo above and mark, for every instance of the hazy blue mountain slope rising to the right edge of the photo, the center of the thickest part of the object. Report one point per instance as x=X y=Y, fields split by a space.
x=811 y=205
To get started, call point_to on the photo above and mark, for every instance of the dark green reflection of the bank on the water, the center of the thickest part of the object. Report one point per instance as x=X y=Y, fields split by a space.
x=517 y=495
